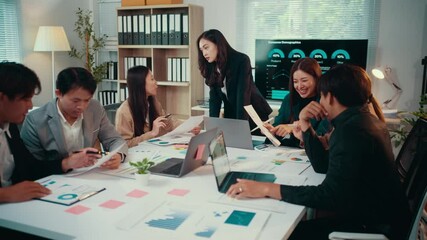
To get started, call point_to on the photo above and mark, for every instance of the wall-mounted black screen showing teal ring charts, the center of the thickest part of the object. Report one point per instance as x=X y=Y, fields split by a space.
x=274 y=59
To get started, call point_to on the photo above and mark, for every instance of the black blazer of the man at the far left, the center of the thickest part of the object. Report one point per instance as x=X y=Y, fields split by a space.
x=26 y=166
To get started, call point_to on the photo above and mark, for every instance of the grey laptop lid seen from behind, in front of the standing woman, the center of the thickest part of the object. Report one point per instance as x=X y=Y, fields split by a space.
x=237 y=132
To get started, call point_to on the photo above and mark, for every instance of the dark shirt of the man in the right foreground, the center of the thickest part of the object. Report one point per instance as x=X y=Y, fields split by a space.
x=361 y=181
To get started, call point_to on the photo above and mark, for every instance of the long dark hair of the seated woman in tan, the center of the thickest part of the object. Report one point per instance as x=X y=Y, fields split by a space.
x=140 y=106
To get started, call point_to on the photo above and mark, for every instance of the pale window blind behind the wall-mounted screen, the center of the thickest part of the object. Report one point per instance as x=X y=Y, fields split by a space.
x=307 y=19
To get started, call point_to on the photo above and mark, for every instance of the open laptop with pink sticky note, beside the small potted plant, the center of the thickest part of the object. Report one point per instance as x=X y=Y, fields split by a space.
x=196 y=156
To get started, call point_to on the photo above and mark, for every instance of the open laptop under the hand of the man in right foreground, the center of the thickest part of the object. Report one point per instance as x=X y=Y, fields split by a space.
x=221 y=166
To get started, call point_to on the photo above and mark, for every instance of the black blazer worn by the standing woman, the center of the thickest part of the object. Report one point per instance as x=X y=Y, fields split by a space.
x=241 y=91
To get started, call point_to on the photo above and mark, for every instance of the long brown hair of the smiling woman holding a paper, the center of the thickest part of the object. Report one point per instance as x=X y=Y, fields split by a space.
x=309 y=66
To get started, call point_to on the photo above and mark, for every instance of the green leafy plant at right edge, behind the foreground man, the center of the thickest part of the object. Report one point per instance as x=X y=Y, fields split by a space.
x=398 y=136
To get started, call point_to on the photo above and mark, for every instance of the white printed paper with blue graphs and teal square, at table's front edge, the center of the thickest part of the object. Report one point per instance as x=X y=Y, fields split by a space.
x=207 y=221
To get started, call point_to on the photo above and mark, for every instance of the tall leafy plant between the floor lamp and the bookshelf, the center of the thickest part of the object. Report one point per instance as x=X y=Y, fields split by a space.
x=91 y=44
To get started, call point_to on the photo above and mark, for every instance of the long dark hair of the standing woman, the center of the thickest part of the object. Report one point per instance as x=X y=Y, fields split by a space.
x=209 y=70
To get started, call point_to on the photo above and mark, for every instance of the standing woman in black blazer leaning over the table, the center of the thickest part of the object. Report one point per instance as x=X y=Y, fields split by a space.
x=228 y=74
